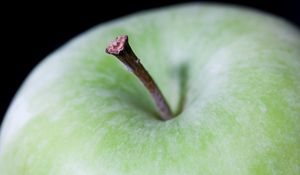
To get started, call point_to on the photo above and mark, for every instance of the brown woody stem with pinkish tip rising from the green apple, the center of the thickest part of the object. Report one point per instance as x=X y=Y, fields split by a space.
x=121 y=49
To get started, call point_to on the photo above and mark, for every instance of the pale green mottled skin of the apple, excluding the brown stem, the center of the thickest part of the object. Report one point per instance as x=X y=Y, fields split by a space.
x=81 y=112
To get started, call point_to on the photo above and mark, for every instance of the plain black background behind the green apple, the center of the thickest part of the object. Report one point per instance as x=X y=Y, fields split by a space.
x=32 y=31
